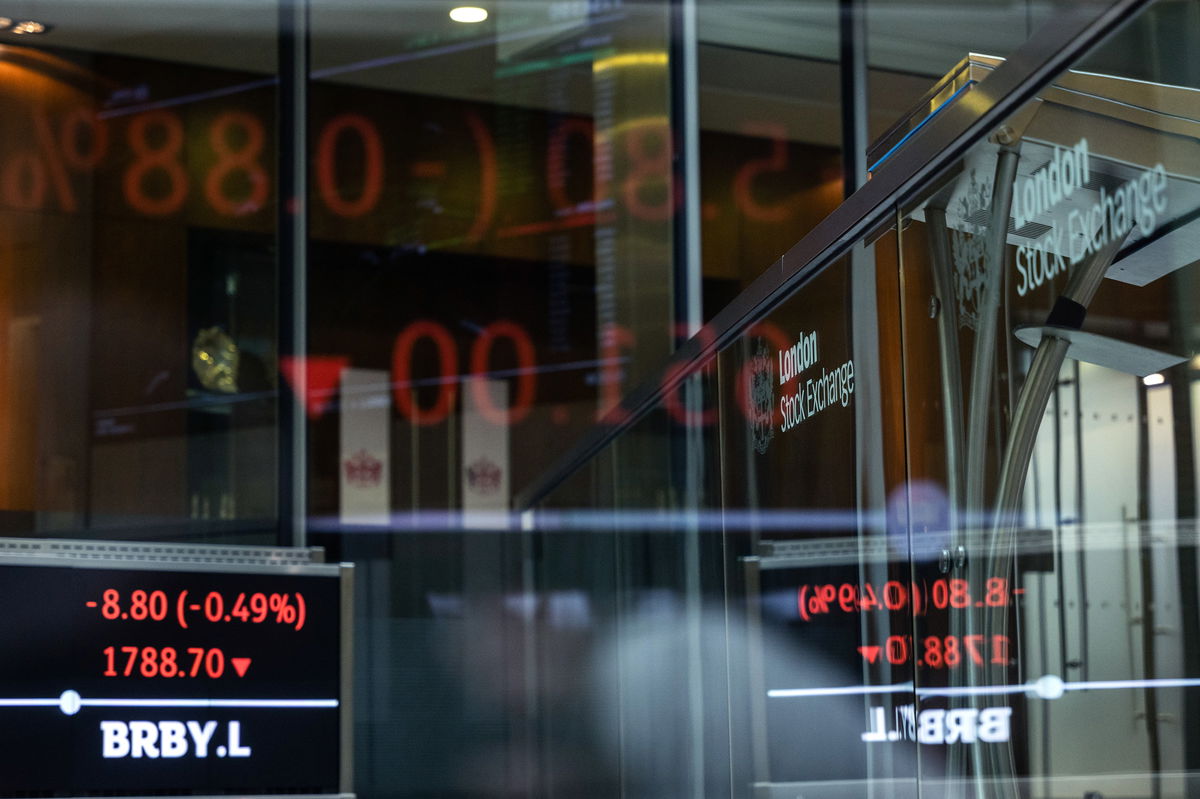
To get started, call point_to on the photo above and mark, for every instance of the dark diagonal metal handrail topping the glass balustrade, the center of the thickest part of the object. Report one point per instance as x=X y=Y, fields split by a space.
x=937 y=147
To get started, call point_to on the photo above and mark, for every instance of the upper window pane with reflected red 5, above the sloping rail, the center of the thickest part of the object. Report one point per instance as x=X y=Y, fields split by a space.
x=771 y=134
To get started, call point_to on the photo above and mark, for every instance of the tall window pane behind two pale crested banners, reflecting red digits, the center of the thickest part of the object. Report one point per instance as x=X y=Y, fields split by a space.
x=494 y=211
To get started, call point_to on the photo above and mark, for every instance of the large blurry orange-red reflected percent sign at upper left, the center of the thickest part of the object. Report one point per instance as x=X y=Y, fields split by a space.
x=25 y=178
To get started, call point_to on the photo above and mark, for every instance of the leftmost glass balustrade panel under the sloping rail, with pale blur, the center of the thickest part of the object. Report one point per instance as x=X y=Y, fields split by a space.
x=632 y=633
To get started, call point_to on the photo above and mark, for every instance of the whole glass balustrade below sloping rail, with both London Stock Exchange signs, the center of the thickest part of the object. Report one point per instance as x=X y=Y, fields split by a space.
x=955 y=524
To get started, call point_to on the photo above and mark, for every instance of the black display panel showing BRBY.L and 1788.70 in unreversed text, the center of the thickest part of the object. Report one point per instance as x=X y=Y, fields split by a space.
x=130 y=682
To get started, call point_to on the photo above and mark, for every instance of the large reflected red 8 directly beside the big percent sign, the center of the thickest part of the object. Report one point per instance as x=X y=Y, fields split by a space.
x=154 y=160
